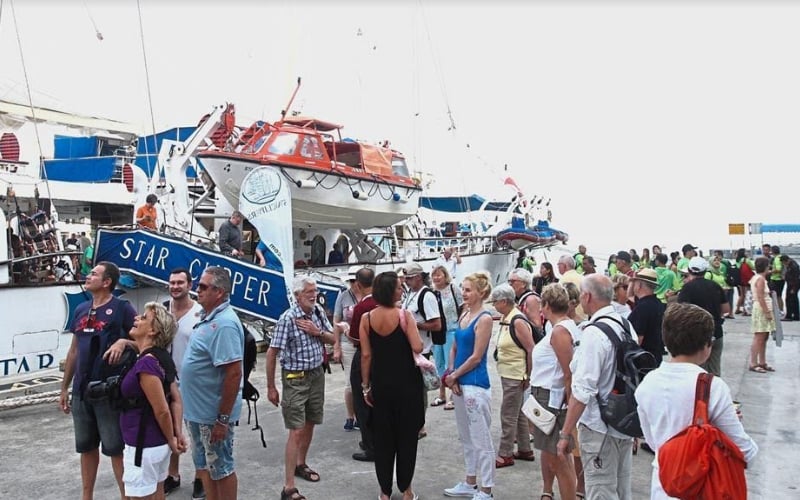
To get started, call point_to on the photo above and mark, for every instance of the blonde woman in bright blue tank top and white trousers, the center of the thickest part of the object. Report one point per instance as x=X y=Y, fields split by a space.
x=469 y=382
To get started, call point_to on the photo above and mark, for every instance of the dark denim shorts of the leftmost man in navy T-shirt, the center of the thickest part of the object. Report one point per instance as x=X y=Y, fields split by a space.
x=96 y=424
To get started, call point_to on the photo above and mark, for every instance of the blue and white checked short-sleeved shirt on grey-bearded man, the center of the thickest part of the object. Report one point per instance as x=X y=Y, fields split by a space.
x=299 y=350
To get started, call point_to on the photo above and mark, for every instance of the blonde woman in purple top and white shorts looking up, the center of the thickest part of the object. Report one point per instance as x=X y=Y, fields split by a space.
x=151 y=421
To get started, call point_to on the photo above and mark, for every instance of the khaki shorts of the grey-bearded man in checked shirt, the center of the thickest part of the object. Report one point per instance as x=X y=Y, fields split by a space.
x=303 y=397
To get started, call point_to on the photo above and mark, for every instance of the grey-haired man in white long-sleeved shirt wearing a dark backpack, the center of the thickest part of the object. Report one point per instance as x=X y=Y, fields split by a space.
x=606 y=453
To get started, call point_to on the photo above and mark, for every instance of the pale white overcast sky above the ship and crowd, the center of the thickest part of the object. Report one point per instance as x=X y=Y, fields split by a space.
x=644 y=122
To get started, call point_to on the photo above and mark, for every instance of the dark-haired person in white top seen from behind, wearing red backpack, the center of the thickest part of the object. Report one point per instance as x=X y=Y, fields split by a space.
x=666 y=396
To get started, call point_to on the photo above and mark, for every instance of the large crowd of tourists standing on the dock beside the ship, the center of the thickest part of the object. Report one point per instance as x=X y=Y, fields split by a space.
x=555 y=351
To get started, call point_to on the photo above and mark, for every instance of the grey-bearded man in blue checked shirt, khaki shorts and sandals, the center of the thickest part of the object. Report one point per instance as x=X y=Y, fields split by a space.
x=300 y=337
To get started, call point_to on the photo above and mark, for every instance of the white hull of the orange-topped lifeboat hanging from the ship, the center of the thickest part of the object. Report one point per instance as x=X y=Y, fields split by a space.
x=326 y=200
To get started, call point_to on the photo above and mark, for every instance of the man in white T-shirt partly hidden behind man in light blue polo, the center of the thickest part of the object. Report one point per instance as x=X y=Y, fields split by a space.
x=186 y=312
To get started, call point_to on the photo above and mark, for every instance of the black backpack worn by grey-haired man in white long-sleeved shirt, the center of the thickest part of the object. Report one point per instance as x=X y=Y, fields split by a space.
x=618 y=409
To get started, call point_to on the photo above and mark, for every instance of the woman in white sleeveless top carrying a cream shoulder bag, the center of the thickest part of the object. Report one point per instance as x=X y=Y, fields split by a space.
x=551 y=379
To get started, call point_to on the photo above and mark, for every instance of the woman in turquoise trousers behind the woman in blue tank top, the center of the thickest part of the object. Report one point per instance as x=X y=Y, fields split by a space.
x=452 y=301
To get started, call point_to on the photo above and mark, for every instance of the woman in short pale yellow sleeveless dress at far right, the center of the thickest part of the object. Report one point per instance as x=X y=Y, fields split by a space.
x=762 y=320
